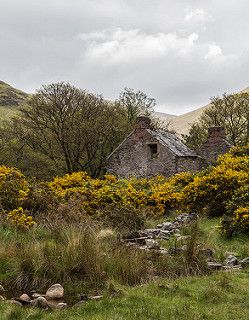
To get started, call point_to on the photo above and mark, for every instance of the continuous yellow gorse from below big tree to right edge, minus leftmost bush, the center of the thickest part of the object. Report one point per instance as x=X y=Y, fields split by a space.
x=207 y=191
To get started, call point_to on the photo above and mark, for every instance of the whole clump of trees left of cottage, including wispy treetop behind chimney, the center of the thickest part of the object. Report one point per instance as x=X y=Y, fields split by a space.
x=62 y=129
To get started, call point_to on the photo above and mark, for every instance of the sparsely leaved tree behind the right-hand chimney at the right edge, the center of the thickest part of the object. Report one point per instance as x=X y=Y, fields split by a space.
x=229 y=111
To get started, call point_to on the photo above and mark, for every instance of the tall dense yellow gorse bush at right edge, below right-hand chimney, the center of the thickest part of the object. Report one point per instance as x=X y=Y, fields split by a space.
x=212 y=189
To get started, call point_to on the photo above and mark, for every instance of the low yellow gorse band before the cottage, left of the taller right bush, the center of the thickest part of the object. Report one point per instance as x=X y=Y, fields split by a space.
x=158 y=194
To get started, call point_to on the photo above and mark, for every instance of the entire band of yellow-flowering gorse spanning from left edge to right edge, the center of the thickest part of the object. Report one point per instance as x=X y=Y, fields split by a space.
x=125 y=203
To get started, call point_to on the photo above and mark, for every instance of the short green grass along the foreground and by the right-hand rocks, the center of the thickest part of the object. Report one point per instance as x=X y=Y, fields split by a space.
x=219 y=296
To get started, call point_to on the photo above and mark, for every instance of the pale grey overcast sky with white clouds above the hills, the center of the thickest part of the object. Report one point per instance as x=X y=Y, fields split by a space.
x=180 y=52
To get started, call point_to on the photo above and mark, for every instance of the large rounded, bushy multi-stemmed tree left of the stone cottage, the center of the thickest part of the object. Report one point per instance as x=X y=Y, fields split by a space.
x=69 y=128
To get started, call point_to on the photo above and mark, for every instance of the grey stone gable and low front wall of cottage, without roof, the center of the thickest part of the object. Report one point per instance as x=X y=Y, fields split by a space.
x=133 y=158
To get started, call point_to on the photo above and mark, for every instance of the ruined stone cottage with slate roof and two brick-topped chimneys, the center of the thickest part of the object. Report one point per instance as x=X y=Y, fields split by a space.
x=147 y=152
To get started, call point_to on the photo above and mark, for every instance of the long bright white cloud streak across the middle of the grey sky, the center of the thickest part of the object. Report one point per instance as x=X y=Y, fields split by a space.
x=117 y=46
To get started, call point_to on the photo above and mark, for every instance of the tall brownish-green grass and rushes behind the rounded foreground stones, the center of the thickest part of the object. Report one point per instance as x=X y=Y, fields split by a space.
x=86 y=258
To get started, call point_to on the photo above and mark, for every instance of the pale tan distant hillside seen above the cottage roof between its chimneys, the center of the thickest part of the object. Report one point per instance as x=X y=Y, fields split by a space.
x=181 y=124
